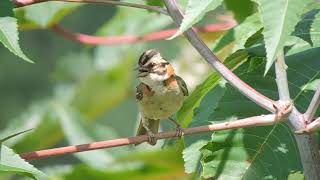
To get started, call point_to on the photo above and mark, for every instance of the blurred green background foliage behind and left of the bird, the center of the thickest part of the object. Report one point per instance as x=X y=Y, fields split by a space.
x=76 y=93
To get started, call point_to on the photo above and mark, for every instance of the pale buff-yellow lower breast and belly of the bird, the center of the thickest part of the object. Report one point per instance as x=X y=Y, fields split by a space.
x=161 y=105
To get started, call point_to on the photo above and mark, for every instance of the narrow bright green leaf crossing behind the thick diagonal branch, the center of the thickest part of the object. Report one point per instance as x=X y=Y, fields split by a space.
x=184 y=114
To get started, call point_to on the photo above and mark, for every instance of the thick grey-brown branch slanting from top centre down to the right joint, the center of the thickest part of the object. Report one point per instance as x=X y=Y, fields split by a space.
x=206 y=53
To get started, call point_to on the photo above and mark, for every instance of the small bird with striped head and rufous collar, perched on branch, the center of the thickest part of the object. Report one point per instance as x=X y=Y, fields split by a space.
x=160 y=93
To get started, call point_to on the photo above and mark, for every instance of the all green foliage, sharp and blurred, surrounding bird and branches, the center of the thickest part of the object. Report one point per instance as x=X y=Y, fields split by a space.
x=77 y=94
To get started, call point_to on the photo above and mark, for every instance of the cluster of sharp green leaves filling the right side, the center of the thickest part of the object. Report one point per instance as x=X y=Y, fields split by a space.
x=252 y=153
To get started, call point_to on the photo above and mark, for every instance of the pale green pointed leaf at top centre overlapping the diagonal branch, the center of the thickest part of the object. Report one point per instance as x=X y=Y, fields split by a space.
x=196 y=9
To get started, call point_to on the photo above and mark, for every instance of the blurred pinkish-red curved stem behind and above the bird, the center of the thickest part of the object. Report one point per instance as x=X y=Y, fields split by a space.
x=154 y=36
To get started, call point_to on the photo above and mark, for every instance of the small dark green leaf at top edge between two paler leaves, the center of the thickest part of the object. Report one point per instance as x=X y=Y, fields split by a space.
x=240 y=10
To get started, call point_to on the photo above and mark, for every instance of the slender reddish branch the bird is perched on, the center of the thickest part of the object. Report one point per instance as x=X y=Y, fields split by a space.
x=262 y=120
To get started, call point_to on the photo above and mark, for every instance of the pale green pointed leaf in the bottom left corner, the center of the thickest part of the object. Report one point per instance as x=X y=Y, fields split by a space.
x=12 y=162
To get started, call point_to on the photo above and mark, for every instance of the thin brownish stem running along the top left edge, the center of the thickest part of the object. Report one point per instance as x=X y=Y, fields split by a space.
x=21 y=3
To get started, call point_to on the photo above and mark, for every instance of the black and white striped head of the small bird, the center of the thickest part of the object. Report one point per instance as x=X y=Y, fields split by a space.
x=152 y=67
